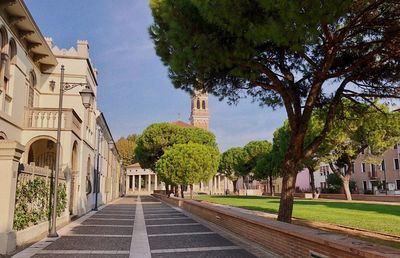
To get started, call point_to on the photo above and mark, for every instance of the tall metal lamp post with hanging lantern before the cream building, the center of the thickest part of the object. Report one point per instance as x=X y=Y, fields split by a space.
x=86 y=95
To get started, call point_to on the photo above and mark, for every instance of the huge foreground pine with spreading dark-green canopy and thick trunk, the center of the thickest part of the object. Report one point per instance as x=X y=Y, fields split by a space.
x=302 y=55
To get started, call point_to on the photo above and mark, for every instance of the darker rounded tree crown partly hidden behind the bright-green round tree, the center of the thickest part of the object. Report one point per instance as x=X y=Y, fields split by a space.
x=157 y=138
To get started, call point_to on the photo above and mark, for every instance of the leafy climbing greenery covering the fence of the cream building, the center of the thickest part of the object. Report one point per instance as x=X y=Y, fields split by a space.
x=32 y=202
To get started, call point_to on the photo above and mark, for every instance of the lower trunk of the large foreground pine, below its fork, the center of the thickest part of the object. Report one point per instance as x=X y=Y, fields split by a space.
x=287 y=194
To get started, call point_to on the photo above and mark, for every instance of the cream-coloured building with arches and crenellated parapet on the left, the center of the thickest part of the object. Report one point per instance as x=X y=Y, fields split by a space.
x=28 y=120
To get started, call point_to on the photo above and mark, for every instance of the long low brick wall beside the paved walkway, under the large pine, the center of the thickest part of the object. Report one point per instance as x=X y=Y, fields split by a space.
x=284 y=239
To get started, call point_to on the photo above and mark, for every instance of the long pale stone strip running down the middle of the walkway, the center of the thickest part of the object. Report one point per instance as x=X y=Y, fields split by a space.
x=140 y=242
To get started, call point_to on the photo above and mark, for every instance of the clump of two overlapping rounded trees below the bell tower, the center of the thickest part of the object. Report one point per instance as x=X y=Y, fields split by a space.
x=180 y=156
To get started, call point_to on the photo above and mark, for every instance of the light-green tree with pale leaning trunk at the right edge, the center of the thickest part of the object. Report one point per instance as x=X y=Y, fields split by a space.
x=360 y=128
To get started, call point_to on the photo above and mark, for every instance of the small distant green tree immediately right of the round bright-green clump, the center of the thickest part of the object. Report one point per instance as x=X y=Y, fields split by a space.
x=228 y=163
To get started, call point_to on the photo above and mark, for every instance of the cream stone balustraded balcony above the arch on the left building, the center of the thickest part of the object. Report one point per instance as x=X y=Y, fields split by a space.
x=46 y=119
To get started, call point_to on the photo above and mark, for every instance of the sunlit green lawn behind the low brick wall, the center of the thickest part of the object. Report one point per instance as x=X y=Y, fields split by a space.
x=373 y=217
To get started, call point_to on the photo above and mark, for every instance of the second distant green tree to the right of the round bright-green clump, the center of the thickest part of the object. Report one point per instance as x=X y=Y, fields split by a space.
x=248 y=159
